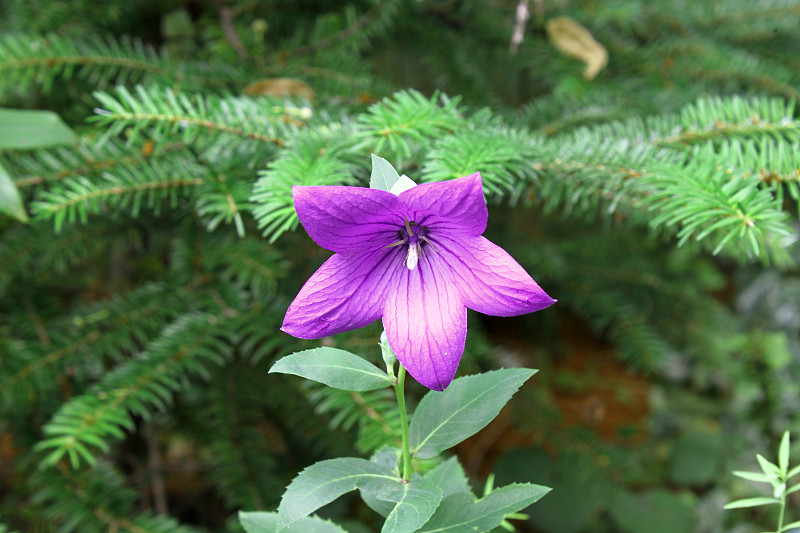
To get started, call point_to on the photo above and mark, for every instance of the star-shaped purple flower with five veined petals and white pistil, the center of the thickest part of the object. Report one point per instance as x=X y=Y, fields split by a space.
x=418 y=260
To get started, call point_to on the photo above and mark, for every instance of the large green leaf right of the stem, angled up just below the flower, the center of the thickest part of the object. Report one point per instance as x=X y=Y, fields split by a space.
x=443 y=419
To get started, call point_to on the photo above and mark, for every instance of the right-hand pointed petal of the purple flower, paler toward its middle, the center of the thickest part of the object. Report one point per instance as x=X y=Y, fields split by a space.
x=490 y=281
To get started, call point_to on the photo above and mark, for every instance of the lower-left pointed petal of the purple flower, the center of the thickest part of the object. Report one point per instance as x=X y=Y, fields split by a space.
x=347 y=292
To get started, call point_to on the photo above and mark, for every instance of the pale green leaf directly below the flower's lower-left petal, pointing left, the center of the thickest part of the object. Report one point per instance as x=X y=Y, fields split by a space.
x=333 y=367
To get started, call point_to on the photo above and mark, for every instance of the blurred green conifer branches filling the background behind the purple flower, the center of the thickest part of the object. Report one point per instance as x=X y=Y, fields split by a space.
x=140 y=304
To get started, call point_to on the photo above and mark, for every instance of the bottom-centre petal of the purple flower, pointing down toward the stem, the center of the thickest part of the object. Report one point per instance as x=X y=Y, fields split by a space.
x=426 y=322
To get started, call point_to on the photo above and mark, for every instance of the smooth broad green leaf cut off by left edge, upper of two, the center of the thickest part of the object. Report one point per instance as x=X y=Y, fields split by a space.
x=26 y=130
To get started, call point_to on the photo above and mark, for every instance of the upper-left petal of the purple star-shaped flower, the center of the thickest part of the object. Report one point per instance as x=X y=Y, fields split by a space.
x=347 y=219
